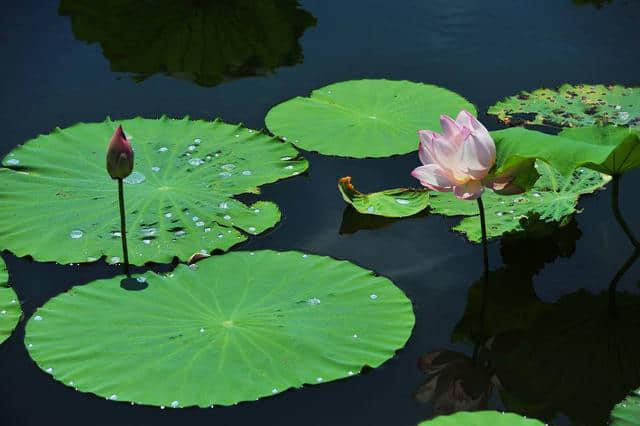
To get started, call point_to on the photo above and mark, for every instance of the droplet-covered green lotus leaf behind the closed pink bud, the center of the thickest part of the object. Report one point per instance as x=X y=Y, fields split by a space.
x=57 y=201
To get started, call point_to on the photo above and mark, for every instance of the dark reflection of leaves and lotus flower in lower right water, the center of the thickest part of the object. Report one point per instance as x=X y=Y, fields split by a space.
x=576 y=357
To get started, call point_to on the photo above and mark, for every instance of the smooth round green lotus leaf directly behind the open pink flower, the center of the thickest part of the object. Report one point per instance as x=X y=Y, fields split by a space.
x=364 y=118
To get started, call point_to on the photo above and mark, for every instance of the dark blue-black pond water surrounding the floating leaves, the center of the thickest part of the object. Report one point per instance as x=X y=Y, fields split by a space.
x=62 y=64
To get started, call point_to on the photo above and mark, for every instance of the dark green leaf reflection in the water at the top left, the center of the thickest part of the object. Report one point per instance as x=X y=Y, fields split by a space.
x=205 y=41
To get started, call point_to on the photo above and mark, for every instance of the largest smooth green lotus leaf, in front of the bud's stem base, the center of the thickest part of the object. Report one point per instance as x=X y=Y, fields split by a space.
x=239 y=327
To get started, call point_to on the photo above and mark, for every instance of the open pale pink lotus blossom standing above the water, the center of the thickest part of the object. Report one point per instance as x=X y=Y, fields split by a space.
x=459 y=159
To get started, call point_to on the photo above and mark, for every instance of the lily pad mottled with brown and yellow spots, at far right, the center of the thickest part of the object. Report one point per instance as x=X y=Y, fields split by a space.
x=573 y=106
